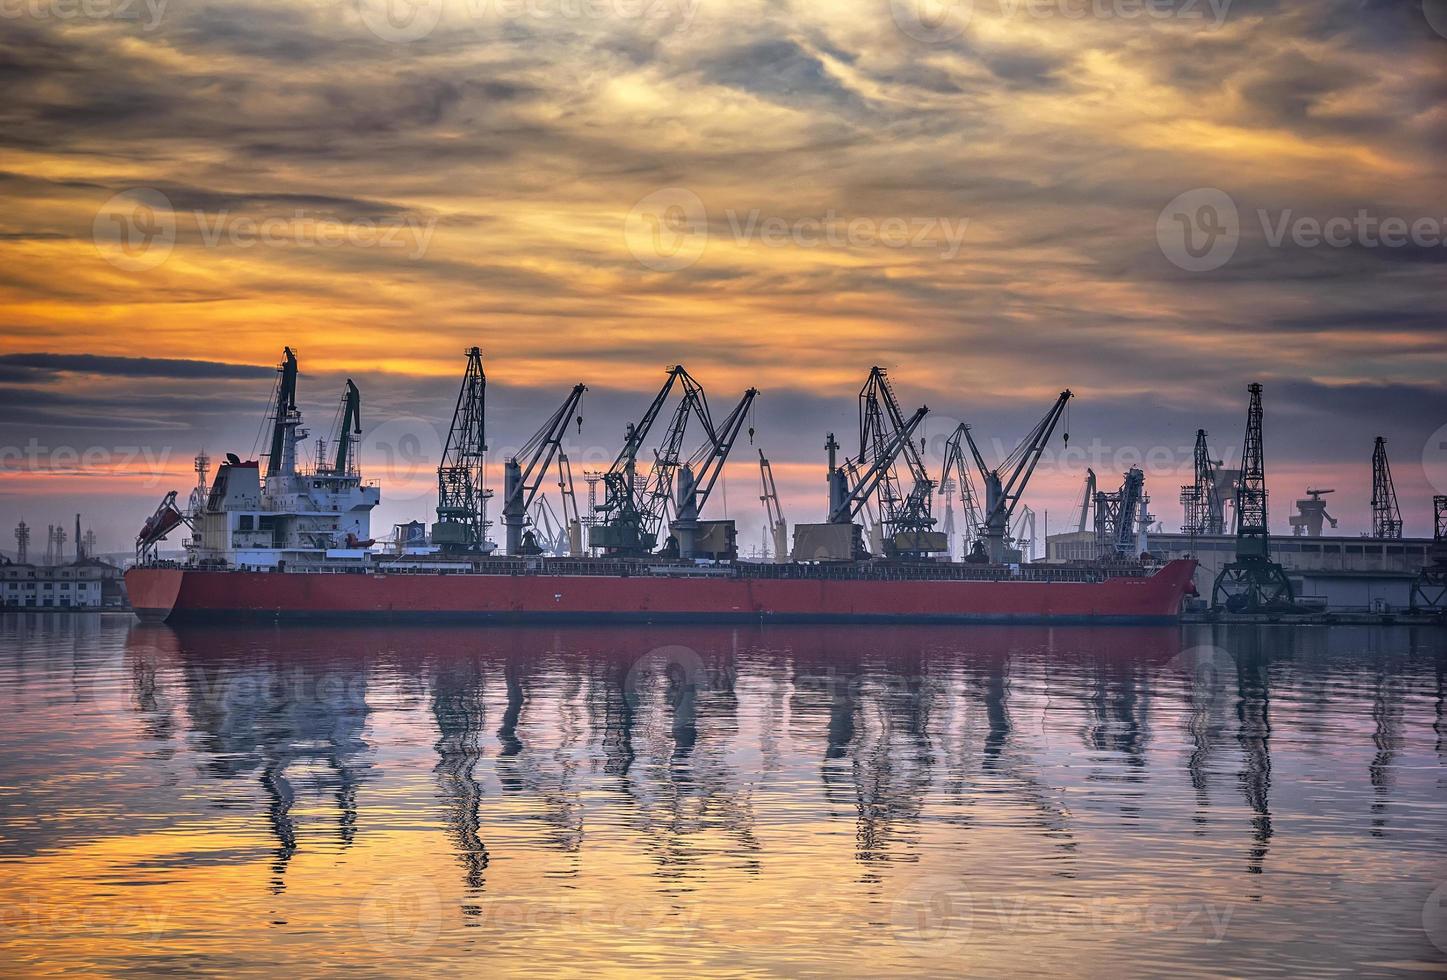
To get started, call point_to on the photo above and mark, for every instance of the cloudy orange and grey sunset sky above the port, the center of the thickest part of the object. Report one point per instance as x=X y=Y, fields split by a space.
x=1148 y=203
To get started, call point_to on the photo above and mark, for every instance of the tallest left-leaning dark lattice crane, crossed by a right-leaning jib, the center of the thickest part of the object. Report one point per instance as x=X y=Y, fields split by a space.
x=905 y=499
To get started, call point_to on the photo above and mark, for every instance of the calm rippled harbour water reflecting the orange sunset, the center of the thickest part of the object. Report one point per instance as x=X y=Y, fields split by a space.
x=804 y=801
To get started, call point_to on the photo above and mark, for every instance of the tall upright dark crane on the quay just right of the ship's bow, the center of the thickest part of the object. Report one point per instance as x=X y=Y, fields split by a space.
x=1252 y=583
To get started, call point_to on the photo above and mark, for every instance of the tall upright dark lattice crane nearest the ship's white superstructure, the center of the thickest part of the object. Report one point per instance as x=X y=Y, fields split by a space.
x=461 y=493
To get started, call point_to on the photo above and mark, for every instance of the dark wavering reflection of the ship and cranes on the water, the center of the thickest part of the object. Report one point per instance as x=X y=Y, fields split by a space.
x=682 y=753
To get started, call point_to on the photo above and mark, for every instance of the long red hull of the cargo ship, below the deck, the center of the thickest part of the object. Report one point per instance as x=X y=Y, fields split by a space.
x=193 y=594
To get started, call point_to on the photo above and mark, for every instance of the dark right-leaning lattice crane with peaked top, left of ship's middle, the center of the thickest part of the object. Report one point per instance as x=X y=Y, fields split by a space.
x=633 y=510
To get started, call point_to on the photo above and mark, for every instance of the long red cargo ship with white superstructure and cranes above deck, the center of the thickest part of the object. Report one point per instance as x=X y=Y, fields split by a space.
x=290 y=541
